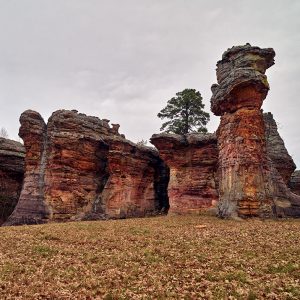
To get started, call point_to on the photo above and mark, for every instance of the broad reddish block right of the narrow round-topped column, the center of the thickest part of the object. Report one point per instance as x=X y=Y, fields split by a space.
x=76 y=165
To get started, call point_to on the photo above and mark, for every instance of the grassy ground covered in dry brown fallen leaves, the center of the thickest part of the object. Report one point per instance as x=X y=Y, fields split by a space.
x=173 y=257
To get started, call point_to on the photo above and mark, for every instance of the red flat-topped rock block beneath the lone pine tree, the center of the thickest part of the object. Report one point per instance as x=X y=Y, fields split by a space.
x=192 y=160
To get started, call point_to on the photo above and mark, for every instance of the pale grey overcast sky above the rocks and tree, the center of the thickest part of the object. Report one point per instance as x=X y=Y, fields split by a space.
x=122 y=60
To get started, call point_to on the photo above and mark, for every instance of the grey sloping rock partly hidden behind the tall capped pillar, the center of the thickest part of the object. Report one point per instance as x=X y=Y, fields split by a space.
x=279 y=155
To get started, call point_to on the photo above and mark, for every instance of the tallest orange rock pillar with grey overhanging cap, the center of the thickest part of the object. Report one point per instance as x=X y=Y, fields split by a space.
x=249 y=184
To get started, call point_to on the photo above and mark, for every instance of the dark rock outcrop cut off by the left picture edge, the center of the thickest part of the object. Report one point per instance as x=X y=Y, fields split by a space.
x=12 y=155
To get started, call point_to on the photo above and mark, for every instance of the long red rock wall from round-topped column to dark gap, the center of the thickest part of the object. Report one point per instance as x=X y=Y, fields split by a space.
x=77 y=167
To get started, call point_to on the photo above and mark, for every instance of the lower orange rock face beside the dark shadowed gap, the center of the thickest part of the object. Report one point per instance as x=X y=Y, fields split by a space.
x=138 y=180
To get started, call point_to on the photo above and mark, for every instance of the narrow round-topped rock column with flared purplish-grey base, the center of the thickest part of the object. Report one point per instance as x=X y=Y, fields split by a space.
x=31 y=208
